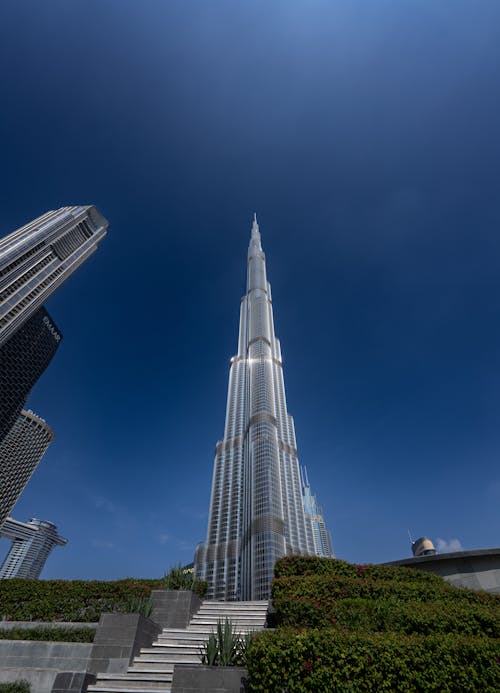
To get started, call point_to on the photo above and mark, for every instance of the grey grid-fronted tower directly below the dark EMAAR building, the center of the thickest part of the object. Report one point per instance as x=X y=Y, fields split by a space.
x=20 y=452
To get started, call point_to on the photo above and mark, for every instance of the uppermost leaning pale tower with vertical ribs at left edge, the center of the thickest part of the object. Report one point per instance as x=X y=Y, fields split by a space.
x=37 y=258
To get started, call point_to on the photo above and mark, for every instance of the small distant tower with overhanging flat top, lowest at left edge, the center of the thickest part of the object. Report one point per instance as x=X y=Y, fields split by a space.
x=32 y=543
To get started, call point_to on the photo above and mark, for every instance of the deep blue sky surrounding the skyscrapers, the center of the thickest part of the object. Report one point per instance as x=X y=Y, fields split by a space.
x=366 y=137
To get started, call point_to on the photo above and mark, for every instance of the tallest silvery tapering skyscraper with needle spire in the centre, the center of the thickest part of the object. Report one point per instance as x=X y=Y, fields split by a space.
x=256 y=508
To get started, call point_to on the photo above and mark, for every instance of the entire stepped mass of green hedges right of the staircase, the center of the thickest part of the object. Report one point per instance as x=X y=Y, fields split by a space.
x=349 y=628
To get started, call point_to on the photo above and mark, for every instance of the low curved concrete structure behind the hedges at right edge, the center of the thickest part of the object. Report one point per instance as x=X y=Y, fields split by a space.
x=477 y=570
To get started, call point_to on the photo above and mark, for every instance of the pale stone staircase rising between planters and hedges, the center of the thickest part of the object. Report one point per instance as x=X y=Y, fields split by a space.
x=152 y=670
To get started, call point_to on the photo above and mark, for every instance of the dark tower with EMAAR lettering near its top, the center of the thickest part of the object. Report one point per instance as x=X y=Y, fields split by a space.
x=23 y=359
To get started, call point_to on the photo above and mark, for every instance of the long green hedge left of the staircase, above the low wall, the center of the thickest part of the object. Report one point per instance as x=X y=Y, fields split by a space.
x=68 y=600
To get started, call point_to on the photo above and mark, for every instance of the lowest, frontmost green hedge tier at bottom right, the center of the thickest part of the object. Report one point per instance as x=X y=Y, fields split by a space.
x=330 y=660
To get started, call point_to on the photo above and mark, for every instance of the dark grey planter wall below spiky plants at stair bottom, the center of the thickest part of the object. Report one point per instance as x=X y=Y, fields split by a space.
x=189 y=678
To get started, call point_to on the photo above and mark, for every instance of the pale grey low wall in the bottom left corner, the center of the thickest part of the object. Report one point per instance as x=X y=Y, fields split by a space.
x=40 y=662
